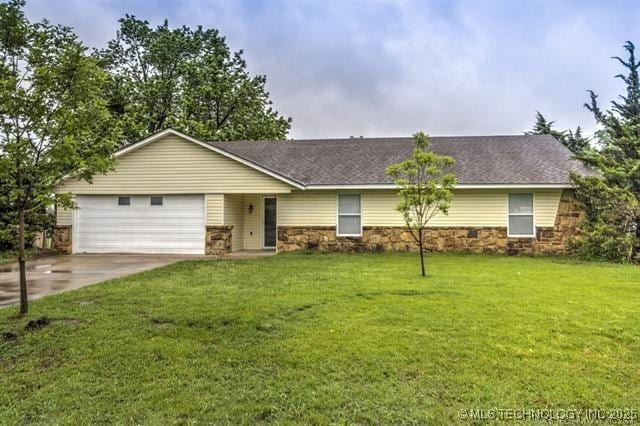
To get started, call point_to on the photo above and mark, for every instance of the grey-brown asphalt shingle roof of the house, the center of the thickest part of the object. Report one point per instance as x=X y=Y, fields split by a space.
x=520 y=159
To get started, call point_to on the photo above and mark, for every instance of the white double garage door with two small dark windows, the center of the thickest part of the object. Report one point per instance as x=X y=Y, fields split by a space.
x=166 y=224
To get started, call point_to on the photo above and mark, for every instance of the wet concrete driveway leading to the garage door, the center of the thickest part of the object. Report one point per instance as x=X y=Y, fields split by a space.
x=59 y=273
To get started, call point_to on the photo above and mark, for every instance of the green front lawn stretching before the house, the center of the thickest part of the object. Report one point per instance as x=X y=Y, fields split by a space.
x=328 y=338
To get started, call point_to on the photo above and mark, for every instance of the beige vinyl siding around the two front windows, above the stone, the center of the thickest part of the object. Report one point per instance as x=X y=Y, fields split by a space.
x=468 y=208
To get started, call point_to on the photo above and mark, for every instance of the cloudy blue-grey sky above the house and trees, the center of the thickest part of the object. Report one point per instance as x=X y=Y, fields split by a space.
x=392 y=68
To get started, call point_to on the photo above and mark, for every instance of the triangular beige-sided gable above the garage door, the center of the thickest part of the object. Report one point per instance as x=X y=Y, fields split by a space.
x=173 y=165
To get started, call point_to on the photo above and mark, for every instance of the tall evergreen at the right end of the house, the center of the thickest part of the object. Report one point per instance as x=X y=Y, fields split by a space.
x=612 y=199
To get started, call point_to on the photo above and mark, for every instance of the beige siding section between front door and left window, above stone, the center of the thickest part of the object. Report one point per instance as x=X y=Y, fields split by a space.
x=308 y=208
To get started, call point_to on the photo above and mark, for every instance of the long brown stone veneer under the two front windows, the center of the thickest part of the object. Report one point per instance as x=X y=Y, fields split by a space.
x=552 y=240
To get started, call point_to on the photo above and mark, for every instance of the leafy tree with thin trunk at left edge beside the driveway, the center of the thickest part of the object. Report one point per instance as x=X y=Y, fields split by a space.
x=53 y=120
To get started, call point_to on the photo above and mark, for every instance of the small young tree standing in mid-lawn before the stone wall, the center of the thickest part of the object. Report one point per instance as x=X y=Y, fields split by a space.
x=425 y=188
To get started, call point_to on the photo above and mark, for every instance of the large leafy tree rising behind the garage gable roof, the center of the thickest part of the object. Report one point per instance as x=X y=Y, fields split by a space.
x=187 y=79
